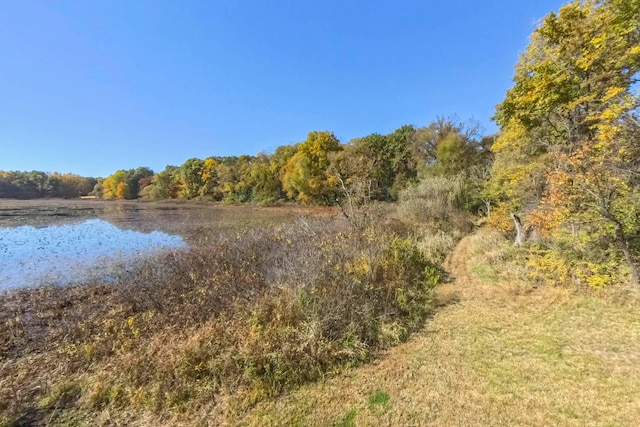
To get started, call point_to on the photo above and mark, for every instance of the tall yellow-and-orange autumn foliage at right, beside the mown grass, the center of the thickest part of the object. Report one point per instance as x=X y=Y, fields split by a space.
x=568 y=153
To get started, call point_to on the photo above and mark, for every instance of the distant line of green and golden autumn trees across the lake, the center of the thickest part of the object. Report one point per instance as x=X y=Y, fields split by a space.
x=319 y=170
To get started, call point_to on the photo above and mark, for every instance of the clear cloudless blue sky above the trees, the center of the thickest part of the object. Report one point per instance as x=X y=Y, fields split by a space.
x=92 y=86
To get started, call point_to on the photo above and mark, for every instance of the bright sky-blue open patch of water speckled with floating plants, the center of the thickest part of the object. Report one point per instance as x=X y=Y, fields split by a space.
x=73 y=253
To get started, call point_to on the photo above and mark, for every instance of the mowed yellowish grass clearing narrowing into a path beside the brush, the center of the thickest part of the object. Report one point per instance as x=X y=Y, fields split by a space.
x=494 y=353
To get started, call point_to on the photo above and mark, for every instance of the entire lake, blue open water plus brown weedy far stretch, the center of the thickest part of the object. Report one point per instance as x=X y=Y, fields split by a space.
x=78 y=241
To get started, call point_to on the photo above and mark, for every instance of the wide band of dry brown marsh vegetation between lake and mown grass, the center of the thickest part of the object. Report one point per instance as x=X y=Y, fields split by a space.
x=241 y=317
